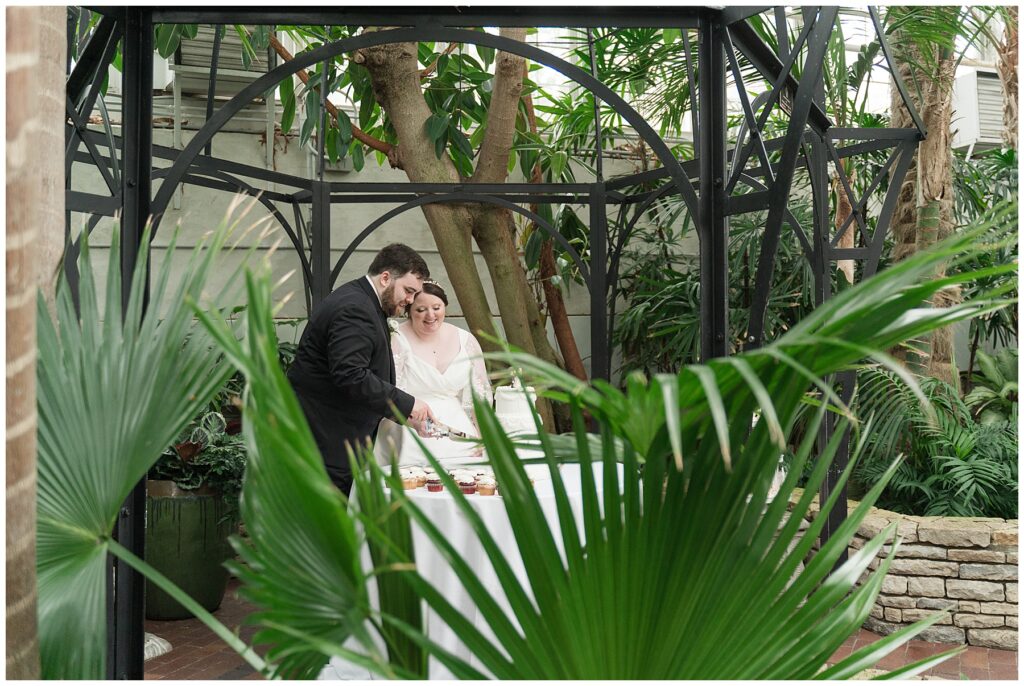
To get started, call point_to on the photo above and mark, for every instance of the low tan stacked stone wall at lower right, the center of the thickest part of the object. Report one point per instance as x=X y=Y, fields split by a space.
x=966 y=566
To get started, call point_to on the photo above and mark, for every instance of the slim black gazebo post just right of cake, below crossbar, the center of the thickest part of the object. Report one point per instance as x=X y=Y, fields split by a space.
x=601 y=359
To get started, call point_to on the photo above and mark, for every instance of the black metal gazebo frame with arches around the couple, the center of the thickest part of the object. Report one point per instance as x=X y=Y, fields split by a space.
x=706 y=184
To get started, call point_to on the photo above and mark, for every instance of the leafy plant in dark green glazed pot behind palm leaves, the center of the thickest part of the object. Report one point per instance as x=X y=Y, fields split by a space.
x=192 y=509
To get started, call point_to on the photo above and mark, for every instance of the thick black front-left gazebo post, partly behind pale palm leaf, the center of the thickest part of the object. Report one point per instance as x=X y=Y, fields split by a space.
x=138 y=156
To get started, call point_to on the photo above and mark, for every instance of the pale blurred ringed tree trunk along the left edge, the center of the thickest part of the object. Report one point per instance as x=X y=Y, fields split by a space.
x=35 y=212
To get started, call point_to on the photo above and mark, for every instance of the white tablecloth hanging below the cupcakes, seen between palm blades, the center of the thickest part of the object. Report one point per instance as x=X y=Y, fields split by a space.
x=445 y=514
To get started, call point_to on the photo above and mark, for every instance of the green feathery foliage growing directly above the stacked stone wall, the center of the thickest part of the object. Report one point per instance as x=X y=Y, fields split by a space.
x=954 y=465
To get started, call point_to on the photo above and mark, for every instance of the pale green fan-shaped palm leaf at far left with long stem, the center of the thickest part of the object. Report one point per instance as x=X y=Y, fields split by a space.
x=114 y=390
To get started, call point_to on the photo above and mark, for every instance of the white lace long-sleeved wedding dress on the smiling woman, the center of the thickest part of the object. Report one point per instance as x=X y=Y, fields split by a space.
x=450 y=395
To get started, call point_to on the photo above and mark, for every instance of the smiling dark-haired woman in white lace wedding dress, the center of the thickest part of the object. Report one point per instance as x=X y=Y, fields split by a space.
x=442 y=365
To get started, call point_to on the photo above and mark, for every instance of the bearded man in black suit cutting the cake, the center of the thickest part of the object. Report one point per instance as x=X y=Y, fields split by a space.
x=344 y=373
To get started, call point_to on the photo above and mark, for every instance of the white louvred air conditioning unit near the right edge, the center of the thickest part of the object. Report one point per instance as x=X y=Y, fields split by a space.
x=977 y=121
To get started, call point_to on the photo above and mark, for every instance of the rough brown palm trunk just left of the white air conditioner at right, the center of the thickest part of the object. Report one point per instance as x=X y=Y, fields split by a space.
x=936 y=203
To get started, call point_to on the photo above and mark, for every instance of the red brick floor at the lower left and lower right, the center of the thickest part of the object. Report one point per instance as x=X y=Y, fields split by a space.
x=197 y=654
